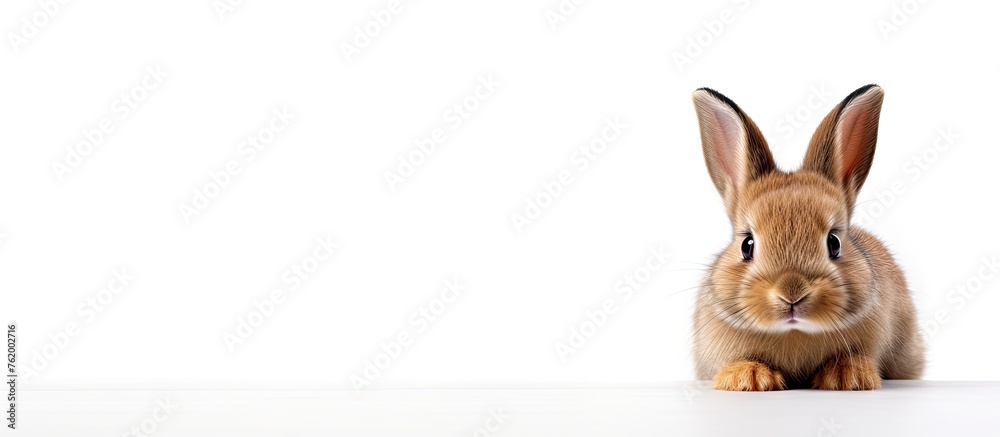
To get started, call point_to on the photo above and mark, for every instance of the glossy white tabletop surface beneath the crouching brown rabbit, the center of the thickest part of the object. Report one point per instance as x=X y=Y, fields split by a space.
x=904 y=408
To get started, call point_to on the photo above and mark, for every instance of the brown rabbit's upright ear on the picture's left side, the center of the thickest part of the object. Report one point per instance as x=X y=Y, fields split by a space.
x=735 y=150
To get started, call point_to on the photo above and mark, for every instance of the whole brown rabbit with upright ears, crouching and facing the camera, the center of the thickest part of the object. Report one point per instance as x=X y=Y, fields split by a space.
x=799 y=298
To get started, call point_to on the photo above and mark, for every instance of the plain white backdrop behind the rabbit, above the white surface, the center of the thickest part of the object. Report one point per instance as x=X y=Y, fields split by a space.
x=62 y=235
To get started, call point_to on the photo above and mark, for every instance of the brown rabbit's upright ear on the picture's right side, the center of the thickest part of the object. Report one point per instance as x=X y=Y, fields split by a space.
x=843 y=146
